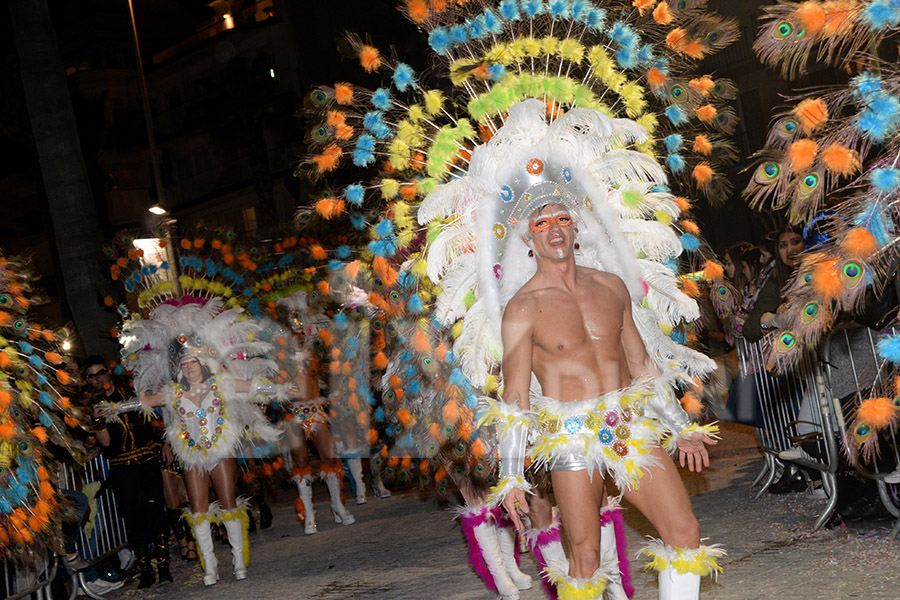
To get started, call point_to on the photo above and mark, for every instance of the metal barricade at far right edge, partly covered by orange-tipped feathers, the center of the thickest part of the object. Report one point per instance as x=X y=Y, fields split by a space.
x=854 y=369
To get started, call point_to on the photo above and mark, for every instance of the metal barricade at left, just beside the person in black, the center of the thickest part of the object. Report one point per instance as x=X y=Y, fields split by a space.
x=104 y=535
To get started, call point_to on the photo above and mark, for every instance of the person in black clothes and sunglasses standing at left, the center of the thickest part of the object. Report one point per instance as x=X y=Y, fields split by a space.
x=132 y=446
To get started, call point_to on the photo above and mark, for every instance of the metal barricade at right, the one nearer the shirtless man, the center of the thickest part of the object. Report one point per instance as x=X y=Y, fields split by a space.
x=797 y=418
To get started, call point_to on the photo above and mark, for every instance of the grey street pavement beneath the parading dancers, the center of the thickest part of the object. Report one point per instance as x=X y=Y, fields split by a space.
x=407 y=548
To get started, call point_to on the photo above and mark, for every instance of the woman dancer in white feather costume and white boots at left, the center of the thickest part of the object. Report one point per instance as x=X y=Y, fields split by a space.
x=209 y=407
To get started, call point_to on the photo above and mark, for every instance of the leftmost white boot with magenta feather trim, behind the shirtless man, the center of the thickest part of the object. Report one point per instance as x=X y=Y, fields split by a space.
x=477 y=523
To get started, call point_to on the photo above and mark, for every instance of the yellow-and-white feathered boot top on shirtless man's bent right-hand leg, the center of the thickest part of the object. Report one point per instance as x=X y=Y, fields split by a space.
x=680 y=569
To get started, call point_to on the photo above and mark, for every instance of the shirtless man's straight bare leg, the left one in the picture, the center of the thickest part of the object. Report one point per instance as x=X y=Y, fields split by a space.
x=579 y=499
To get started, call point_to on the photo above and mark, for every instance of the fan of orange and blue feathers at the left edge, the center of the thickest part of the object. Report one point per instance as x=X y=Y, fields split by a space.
x=35 y=387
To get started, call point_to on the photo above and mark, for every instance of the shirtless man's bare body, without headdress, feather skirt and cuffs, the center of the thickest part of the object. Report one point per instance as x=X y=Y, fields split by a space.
x=572 y=327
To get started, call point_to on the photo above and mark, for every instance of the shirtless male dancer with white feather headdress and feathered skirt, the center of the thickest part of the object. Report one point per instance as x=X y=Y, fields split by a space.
x=598 y=404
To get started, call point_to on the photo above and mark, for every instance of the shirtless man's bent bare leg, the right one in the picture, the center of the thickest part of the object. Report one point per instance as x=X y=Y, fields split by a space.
x=663 y=500
